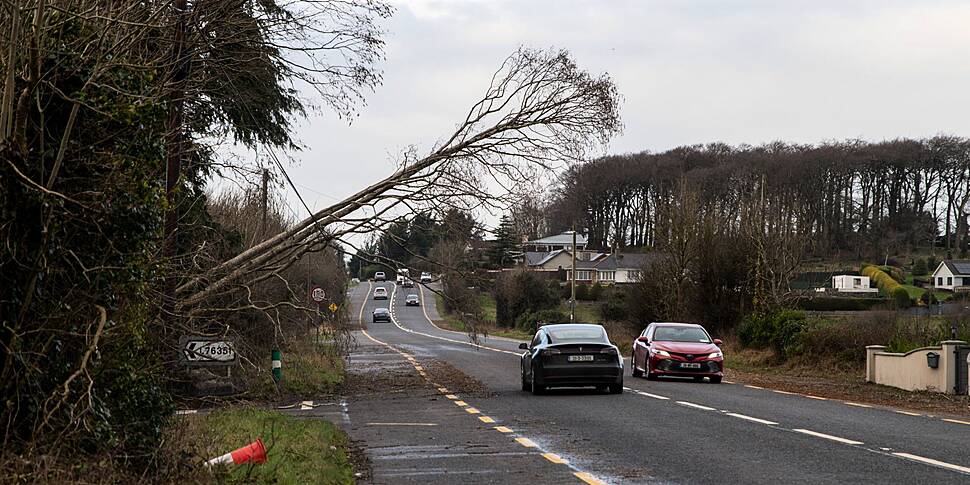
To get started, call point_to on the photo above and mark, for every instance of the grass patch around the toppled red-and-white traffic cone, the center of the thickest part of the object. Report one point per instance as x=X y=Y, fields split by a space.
x=298 y=450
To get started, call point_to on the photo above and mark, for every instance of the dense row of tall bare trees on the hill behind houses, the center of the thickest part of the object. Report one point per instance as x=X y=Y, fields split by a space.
x=864 y=198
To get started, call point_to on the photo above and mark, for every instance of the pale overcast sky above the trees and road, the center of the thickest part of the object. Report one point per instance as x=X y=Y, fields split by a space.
x=689 y=71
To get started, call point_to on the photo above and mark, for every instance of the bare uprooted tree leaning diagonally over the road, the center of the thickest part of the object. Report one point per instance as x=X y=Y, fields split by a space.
x=540 y=110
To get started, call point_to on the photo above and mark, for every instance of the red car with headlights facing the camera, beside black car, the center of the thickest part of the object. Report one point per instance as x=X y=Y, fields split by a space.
x=677 y=349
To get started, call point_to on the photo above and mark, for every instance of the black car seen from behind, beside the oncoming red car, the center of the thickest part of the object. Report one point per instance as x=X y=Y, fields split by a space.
x=571 y=355
